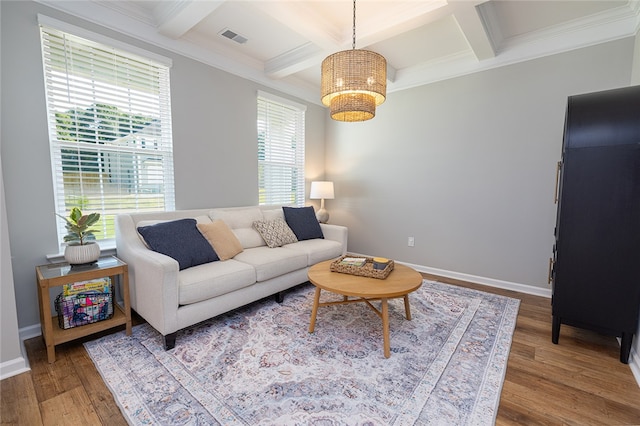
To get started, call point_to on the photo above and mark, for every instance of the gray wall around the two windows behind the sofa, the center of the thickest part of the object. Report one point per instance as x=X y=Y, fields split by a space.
x=214 y=134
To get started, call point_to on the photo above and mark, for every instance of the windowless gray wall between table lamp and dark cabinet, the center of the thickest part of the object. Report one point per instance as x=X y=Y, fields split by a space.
x=467 y=166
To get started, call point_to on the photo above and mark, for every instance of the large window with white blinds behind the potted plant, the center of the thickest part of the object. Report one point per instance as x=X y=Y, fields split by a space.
x=109 y=116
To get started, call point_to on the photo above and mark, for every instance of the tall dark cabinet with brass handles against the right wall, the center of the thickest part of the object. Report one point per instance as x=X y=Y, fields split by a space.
x=596 y=269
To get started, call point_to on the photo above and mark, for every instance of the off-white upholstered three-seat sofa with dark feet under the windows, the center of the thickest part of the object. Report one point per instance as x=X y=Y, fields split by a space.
x=170 y=299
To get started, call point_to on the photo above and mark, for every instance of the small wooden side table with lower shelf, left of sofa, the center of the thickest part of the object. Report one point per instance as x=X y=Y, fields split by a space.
x=58 y=274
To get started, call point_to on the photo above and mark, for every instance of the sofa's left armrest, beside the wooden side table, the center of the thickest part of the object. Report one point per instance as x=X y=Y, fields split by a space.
x=153 y=278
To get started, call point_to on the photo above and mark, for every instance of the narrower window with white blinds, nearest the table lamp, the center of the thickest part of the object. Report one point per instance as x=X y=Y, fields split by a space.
x=280 y=151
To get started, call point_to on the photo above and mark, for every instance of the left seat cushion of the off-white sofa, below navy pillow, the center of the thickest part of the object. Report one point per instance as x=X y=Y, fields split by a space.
x=213 y=279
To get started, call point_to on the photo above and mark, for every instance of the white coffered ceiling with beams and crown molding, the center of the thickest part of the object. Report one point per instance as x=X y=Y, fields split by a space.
x=281 y=43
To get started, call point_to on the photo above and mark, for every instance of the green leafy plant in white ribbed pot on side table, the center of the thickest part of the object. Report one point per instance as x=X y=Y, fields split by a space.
x=81 y=241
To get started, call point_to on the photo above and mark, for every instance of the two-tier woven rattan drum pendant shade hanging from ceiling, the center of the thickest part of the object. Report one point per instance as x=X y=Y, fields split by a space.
x=353 y=83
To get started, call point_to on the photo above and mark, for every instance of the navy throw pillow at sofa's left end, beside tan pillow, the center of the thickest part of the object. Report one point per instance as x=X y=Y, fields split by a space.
x=181 y=240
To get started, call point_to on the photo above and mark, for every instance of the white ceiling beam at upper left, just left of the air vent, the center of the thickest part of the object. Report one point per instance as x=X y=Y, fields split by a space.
x=176 y=18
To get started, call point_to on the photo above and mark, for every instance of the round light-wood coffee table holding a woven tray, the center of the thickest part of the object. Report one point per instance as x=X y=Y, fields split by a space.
x=400 y=282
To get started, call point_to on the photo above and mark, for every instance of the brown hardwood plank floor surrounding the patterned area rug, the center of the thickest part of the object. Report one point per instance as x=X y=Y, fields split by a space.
x=580 y=381
